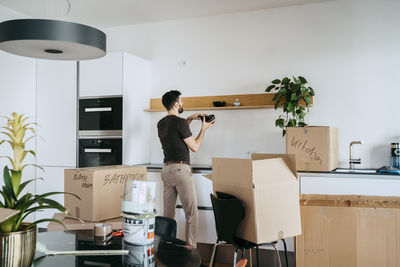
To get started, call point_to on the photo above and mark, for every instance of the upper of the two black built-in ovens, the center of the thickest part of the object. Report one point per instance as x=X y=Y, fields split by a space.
x=100 y=114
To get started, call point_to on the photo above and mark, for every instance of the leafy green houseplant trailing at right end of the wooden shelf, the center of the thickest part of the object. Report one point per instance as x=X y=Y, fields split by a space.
x=295 y=96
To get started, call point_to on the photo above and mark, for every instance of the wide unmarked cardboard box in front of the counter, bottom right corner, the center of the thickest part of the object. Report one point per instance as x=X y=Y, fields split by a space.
x=344 y=231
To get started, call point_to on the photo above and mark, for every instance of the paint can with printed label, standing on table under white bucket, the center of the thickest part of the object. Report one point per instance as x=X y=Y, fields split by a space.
x=139 y=228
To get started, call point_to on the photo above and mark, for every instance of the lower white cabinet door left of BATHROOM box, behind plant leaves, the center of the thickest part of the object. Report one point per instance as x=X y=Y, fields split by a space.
x=53 y=181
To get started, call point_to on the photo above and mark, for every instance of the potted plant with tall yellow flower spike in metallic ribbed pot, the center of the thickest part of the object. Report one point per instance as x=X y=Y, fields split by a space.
x=18 y=238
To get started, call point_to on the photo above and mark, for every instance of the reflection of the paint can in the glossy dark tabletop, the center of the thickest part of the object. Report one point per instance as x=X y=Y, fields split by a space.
x=139 y=256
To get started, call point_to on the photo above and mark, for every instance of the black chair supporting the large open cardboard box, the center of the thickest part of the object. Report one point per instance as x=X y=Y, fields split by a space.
x=229 y=211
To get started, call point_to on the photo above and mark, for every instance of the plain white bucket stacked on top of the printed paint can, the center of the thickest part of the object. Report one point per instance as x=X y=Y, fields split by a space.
x=139 y=197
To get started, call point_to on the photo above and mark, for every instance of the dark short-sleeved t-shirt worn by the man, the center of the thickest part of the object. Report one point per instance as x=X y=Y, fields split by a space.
x=171 y=131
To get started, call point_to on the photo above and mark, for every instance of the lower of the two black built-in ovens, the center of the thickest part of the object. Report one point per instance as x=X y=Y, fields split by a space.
x=100 y=151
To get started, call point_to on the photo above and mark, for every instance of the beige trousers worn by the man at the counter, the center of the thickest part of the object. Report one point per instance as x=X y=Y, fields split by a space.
x=178 y=180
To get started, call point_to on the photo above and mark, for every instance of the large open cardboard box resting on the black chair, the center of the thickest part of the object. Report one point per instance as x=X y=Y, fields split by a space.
x=268 y=186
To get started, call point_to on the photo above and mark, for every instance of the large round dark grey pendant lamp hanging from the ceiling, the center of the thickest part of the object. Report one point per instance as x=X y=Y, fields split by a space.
x=52 y=39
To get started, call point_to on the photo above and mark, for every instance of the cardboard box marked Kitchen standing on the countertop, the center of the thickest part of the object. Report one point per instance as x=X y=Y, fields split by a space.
x=316 y=147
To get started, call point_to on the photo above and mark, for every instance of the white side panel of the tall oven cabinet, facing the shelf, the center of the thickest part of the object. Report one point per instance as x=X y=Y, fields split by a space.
x=136 y=122
